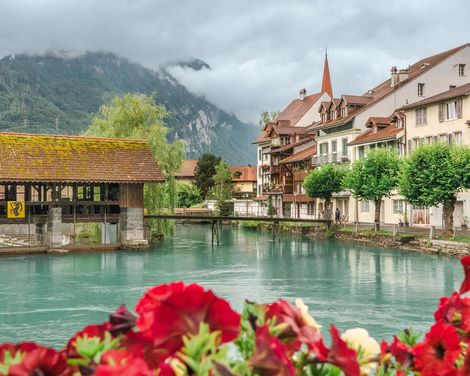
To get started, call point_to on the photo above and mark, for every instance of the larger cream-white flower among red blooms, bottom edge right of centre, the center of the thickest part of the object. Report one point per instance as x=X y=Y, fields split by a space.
x=365 y=346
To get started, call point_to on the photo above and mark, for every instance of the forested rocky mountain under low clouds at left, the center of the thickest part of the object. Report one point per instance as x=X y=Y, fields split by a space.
x=58 y=93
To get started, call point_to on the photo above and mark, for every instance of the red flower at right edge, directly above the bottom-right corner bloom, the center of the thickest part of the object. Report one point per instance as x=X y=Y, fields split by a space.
x=454 y=311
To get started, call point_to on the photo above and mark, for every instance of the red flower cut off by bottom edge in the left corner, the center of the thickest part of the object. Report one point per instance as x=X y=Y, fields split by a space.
x=42 y=361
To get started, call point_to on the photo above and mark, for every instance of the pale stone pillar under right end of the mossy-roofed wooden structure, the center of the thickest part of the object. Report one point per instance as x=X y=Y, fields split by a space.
x=132 y=227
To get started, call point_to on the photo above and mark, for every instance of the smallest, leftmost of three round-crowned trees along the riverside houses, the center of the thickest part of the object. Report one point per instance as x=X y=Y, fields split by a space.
x=323 y=182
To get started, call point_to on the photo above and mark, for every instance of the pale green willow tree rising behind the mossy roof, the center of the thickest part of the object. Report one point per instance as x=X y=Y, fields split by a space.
x=136 y=116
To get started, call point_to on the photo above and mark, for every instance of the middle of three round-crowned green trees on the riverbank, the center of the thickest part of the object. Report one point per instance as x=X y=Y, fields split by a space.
x=374 y=177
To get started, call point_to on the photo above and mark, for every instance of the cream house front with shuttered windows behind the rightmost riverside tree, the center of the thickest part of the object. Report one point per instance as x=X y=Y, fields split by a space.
x=444 y=117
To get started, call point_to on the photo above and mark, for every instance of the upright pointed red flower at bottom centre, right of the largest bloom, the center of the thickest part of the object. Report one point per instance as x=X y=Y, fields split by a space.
x=270 y=358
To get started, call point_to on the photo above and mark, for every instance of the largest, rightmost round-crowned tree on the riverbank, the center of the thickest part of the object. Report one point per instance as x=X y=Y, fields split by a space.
x=435 y=174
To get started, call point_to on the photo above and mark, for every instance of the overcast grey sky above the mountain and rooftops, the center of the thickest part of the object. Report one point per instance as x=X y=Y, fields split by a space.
x=261 y=52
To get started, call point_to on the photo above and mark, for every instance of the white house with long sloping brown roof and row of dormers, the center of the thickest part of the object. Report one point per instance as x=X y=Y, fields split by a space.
x=348 y=117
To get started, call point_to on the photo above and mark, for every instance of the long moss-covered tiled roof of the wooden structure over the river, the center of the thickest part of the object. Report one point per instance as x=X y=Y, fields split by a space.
x=68 y=159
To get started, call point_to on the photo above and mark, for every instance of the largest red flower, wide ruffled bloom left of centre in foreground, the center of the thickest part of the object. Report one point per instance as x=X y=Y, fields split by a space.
x=167 y=312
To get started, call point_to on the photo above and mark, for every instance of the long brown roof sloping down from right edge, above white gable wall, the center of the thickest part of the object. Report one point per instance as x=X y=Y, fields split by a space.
x=384 y=89
